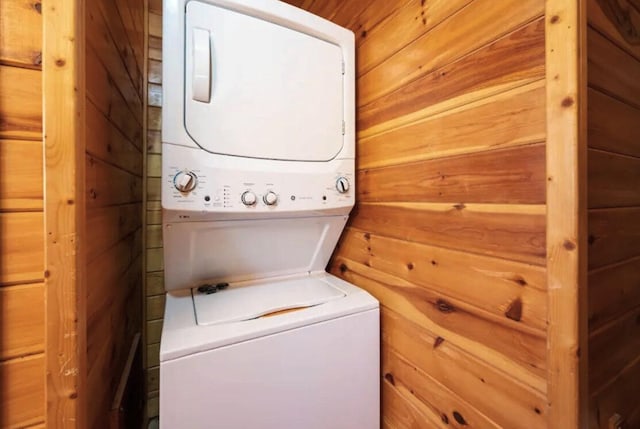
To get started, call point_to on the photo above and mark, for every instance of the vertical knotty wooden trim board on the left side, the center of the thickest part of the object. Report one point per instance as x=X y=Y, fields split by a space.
x=63 y=66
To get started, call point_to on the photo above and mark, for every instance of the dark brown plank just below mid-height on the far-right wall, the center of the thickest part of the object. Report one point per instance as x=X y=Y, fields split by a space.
x=614 y=235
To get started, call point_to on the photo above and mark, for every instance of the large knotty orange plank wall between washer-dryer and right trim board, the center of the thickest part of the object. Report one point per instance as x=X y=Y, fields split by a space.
x=449 y=228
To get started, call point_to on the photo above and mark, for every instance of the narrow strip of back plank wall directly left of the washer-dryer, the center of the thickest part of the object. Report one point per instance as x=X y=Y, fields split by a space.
x=154 y=282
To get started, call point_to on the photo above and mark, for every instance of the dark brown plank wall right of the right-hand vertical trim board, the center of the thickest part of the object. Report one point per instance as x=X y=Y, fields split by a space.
x=614 y=210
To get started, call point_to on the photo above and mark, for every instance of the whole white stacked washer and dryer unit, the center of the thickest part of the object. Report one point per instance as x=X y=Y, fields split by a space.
x=257 y=184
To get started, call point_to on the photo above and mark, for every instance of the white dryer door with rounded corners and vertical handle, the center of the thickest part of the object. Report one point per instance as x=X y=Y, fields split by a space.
x=261 y=90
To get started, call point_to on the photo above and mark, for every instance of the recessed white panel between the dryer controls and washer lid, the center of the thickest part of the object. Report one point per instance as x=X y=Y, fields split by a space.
x=232 y=251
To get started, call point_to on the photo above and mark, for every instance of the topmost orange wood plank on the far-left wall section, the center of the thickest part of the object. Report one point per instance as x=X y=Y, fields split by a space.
x=21 y=30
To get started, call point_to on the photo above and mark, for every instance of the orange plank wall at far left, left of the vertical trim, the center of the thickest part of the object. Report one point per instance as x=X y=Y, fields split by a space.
x=22 y=312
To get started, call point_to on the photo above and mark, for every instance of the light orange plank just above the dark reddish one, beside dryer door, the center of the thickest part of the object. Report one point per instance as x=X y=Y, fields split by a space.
x=485 y=19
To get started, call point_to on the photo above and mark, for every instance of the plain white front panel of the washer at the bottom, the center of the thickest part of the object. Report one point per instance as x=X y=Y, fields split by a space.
x=322 y=376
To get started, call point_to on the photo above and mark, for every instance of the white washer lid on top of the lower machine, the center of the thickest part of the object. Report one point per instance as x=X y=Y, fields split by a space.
x=240 y=303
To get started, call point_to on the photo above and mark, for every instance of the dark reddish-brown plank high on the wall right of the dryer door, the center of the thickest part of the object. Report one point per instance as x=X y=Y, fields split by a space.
x=487 y=71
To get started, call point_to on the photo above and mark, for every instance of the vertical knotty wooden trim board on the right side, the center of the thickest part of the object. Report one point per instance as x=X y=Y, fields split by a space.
x=565 y=29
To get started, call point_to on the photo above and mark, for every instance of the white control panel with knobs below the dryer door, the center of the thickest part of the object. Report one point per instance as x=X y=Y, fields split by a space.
x=238 y=185
